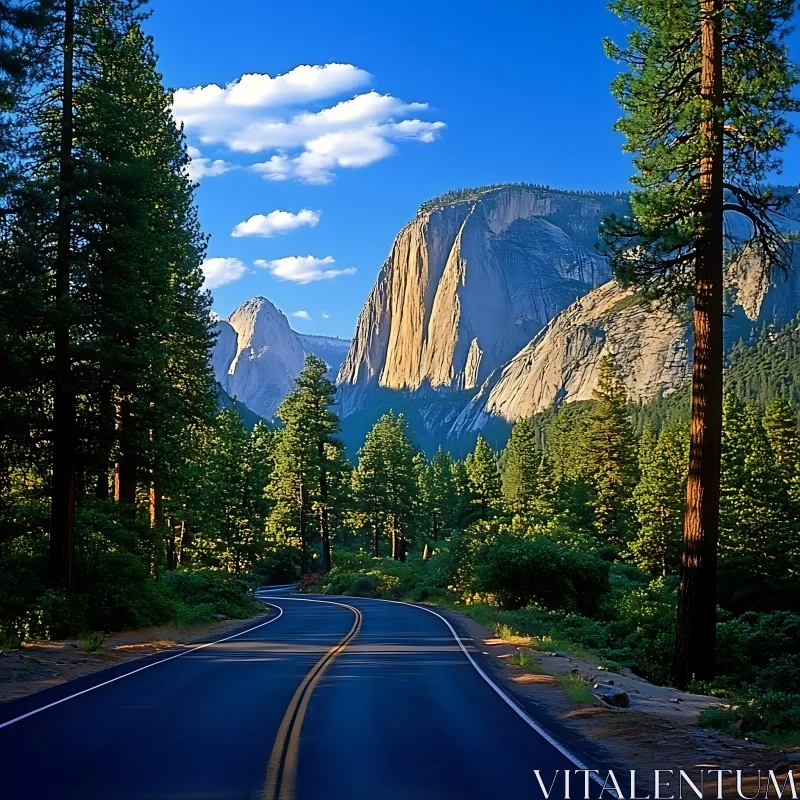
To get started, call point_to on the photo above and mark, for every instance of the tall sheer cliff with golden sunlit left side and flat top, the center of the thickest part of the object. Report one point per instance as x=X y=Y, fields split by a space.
x=467 y=285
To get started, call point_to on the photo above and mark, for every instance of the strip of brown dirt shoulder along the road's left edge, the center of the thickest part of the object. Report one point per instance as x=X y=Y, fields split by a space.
x=41 y=665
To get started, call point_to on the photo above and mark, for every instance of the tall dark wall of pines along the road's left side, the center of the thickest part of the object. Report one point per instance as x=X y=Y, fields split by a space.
x=104 y=324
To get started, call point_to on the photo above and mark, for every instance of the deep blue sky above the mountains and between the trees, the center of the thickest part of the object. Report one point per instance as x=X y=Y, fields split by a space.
x=515 y=91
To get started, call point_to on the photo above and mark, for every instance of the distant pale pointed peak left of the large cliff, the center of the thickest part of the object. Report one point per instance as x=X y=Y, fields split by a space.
x=257 y=355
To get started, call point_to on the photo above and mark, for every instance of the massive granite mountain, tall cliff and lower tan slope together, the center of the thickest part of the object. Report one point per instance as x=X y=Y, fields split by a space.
x=494 y=304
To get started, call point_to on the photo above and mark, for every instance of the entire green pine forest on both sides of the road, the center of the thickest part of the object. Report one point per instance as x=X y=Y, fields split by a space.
x=127 y=498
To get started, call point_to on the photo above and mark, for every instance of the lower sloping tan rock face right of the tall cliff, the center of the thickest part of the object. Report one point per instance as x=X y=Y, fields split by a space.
x=650 y=344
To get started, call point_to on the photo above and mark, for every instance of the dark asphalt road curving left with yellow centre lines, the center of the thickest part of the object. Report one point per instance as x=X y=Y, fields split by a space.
x=336 y=699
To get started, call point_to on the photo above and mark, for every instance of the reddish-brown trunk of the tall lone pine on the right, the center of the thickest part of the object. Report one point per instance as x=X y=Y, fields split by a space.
x=695 y=643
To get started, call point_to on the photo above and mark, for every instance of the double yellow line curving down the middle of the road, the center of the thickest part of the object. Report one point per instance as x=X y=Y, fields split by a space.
x=282 y=768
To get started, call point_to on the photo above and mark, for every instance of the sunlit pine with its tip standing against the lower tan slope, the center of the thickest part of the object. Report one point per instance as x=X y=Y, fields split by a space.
x=611 y=466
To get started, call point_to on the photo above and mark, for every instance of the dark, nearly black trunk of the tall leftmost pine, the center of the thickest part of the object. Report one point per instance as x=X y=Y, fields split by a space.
x=62 y=512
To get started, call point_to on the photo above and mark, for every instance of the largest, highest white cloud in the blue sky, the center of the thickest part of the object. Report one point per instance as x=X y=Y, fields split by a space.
x=259 y=114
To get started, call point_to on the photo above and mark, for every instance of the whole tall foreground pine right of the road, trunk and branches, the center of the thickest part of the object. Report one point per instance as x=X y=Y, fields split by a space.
x=706 y=96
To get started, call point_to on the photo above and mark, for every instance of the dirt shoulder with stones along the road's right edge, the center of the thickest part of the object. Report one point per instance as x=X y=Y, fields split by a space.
x=658 y=730
